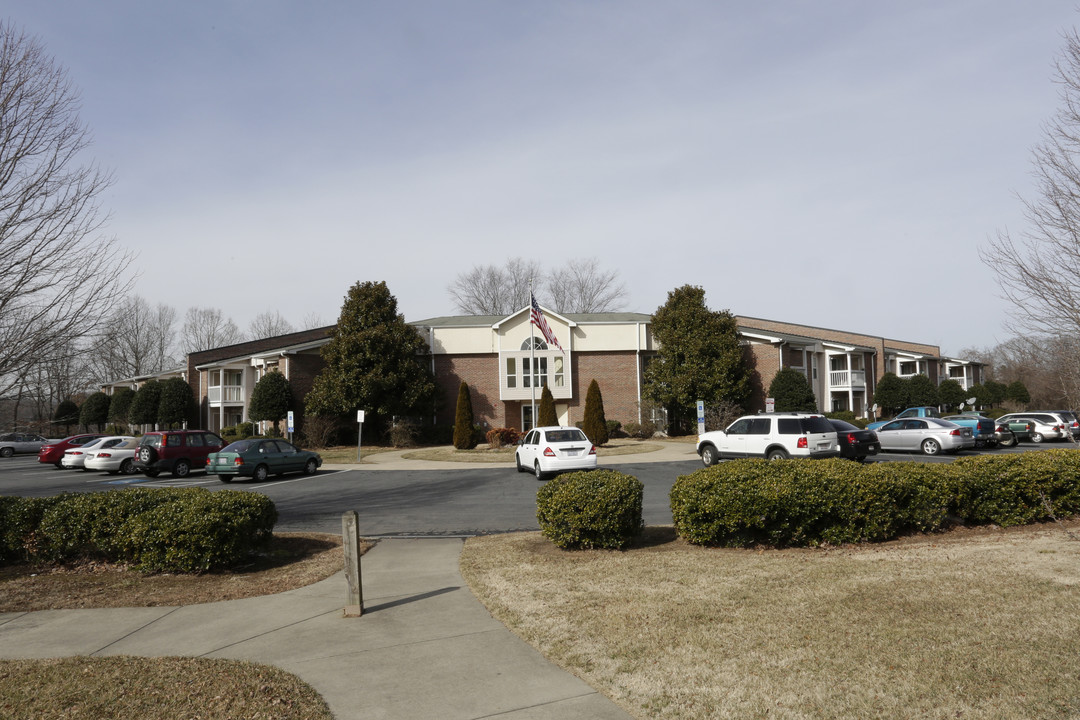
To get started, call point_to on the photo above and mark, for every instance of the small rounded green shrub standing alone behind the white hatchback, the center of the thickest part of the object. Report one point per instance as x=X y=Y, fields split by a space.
x=591 y=509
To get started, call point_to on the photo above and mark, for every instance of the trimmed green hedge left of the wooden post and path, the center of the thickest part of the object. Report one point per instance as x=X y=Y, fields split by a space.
x=155 y=531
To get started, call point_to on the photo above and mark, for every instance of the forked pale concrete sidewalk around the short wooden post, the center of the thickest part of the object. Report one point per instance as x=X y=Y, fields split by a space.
x=425 y=647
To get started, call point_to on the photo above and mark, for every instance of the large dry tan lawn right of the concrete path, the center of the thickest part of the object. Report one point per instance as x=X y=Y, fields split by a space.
x=971 y=624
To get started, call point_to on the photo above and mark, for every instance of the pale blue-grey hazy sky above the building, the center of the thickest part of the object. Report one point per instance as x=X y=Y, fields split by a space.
x=836 y=165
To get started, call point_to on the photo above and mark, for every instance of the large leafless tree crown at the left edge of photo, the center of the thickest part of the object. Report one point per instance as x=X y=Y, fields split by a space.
x=56 y=269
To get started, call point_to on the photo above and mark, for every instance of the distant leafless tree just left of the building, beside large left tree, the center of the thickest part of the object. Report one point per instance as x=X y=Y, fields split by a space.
x=137 y=341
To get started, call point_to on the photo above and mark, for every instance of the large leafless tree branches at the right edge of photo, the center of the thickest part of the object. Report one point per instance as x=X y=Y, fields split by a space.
x=1039 y=271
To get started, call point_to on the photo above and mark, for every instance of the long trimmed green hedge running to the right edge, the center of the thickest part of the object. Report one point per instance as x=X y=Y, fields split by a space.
x=801 y=504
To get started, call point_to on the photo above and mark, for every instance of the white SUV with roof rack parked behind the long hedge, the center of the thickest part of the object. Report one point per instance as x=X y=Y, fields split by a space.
x=773 y=436
